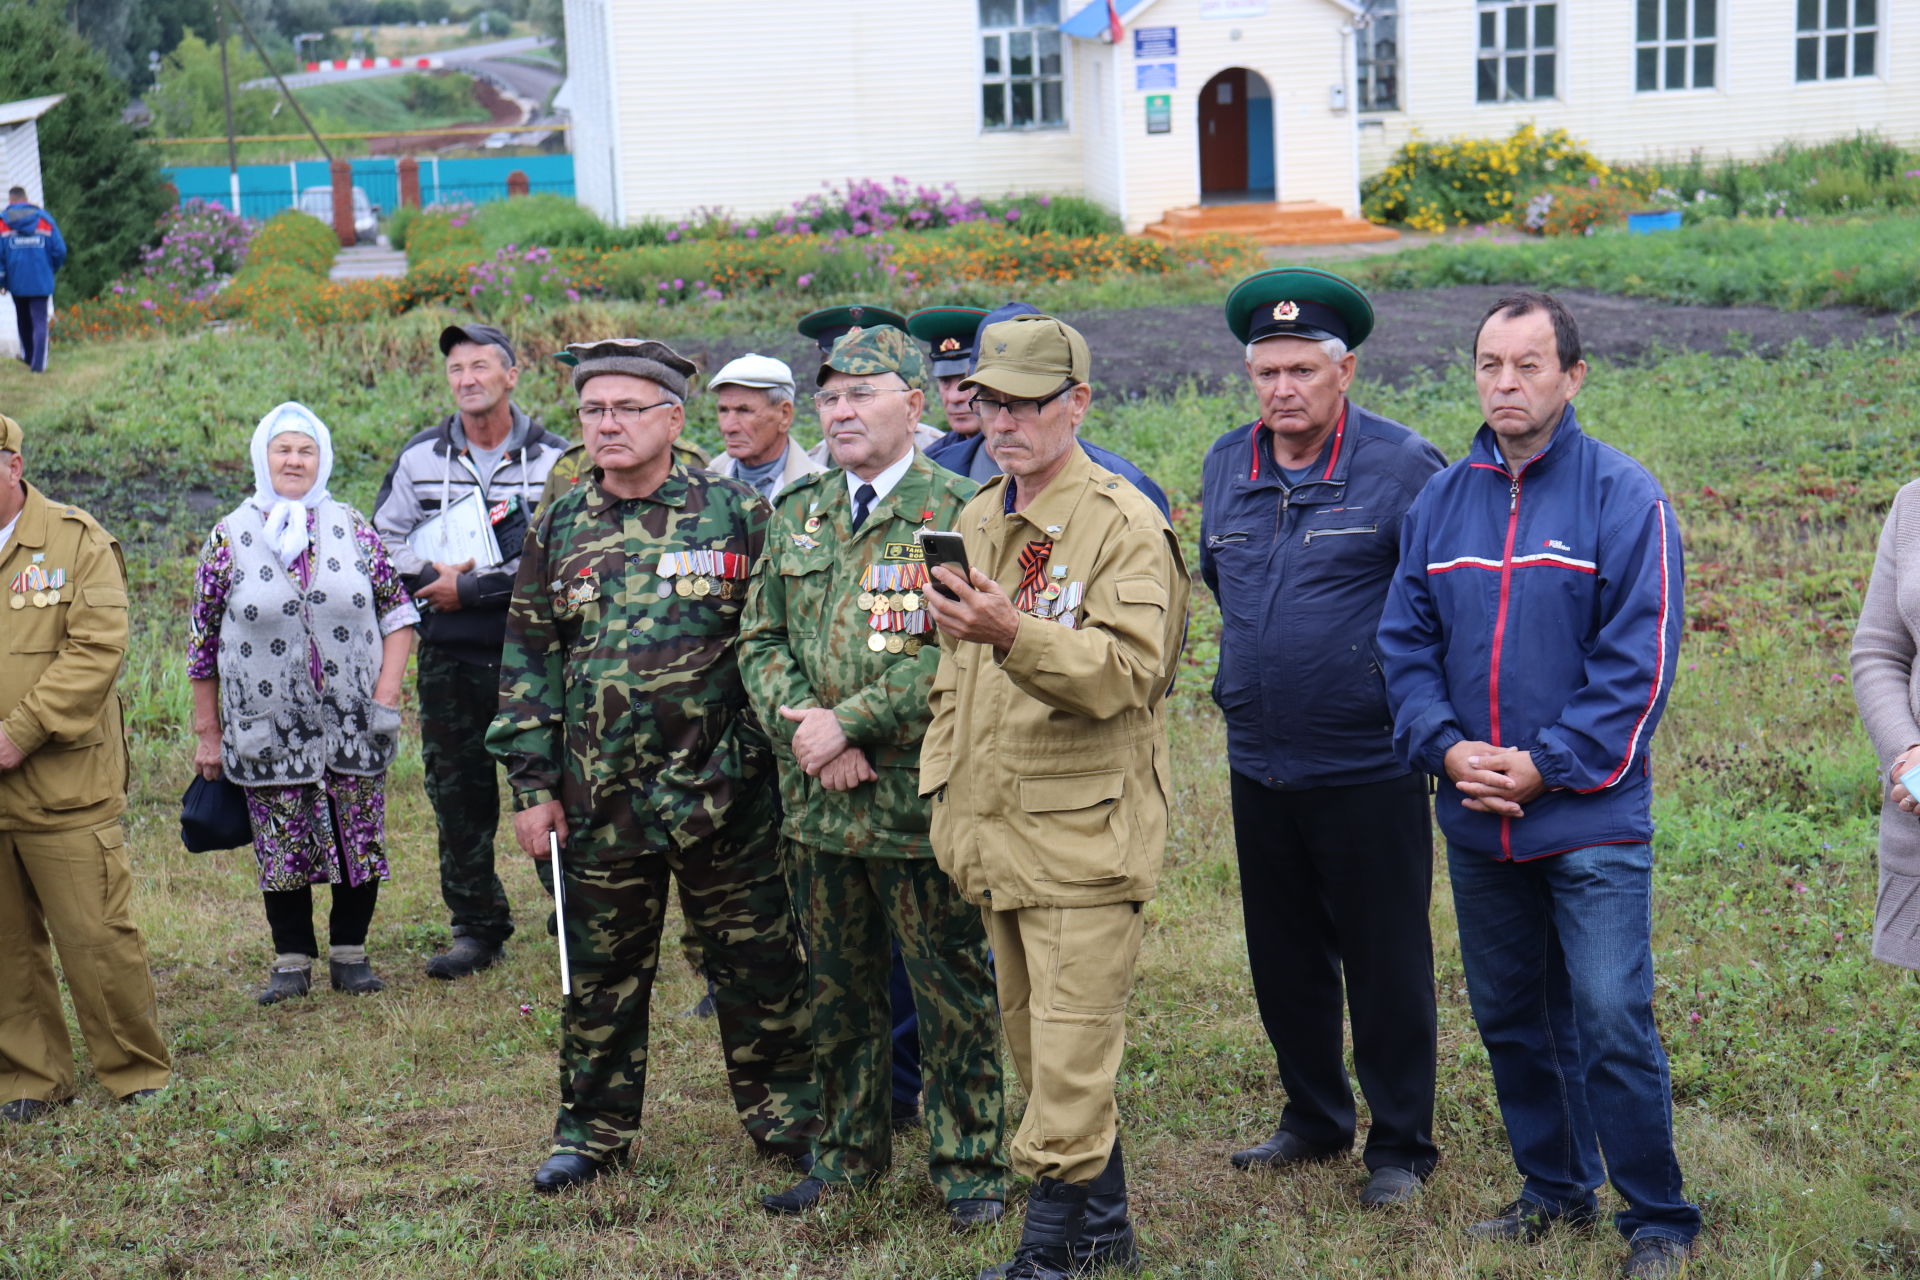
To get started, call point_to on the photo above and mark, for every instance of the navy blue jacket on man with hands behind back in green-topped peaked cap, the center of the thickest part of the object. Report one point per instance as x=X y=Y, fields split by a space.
x=1301 y=577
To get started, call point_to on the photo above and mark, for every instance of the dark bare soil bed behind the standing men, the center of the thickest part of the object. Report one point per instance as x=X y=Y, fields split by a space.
x=1151 y=350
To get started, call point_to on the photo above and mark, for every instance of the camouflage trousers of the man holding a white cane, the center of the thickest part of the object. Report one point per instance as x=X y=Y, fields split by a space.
x=736 y=905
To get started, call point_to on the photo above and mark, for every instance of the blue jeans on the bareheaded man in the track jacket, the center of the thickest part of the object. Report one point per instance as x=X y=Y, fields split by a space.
x=1560 y=972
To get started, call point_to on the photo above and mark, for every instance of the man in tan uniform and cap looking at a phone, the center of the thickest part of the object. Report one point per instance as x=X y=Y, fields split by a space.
x=1047 y=767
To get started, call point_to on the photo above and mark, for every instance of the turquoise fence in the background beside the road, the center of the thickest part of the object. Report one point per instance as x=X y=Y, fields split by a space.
x=270 y=189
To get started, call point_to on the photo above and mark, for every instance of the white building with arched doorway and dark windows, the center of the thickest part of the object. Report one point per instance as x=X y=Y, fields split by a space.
x=750 y=105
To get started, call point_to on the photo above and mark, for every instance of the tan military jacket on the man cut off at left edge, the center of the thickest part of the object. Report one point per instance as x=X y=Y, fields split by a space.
x=64 y=650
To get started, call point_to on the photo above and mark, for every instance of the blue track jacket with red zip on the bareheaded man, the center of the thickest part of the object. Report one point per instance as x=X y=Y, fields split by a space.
x=1539 y=611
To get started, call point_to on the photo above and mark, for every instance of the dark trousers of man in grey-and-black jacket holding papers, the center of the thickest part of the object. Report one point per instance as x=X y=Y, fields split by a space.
x=458 y=703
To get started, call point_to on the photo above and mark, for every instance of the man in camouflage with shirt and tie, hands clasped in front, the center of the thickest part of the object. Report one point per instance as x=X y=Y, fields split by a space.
x=838 y=663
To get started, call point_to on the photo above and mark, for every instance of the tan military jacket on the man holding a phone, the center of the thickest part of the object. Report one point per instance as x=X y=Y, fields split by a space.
x=1049 y=769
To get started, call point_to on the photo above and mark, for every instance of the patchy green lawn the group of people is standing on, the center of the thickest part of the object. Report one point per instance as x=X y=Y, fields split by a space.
x=393 y=1137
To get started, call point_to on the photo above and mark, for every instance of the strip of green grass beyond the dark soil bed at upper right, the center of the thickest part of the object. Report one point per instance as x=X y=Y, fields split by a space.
x=1779 y=264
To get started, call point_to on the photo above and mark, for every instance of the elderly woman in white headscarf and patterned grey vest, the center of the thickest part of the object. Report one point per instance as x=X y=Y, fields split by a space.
x=300 y=638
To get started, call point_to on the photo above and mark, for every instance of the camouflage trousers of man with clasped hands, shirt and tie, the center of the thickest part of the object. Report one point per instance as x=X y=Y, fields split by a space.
x=855 y=911
